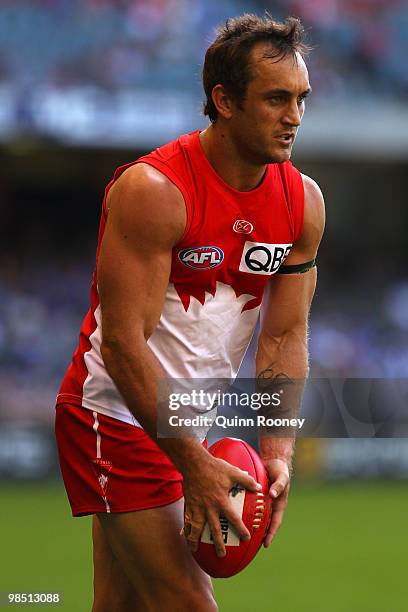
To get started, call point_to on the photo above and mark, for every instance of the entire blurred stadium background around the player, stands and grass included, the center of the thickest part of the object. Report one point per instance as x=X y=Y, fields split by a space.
x=86 y=85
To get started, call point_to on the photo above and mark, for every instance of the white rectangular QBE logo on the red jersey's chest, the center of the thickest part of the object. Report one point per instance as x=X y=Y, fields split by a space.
x=263 y=258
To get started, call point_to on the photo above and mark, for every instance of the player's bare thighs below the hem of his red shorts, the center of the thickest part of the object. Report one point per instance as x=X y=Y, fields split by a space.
x=149 y=562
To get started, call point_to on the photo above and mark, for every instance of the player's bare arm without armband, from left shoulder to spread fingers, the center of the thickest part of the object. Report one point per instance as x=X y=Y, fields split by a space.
x=146 y=219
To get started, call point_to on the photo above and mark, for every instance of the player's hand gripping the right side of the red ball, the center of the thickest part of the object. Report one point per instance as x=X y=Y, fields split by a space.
x=279 y=476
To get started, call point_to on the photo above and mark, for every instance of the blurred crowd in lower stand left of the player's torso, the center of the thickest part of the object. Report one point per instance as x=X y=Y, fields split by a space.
x=41 y=306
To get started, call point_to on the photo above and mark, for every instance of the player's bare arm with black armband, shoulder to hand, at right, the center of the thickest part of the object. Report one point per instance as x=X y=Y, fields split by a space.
x=282 y=347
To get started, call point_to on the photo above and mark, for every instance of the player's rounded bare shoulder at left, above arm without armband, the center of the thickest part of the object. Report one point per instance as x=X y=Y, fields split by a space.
x=146 y=202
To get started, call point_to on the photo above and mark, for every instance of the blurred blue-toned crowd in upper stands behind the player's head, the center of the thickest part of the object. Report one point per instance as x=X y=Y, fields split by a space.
x=49 y=46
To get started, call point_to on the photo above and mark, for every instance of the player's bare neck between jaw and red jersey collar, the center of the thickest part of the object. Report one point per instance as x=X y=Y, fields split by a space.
x=224 y=156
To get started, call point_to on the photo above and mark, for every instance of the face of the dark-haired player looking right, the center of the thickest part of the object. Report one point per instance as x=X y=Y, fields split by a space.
x=265 y=126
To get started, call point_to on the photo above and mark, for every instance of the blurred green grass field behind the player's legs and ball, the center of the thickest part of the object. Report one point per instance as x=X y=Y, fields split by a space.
x=342 y=548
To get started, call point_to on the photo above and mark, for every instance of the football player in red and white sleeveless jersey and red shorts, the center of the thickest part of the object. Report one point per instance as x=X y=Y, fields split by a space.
x=191 y=236
